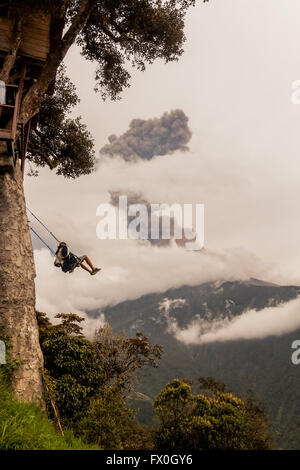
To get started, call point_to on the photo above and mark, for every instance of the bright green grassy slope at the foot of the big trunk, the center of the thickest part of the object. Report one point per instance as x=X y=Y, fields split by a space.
x=24 y=426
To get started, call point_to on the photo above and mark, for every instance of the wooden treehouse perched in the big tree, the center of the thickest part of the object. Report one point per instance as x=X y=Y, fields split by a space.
x=38 y=36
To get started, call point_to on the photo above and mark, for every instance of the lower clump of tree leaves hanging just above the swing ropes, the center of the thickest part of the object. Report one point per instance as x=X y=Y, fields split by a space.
x=61 y=143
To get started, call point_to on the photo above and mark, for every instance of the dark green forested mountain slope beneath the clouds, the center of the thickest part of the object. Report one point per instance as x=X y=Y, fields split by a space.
x=264 y=365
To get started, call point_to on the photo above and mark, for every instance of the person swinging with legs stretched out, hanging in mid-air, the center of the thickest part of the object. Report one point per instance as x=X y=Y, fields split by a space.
x=67 y=261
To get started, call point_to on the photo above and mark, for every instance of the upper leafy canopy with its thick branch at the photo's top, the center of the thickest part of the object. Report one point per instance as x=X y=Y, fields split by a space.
x=114 y=34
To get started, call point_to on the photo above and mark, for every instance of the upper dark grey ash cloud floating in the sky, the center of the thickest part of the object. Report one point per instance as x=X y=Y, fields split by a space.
x=146 y=139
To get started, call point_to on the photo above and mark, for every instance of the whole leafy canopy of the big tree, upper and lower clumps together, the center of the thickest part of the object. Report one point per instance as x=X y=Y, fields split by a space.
x=111 y=33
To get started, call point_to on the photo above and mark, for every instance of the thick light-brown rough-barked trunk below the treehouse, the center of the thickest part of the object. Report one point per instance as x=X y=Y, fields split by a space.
x=17 y=290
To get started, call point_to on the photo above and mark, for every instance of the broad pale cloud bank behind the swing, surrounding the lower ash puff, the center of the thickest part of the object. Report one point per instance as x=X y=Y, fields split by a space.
x=131 y=268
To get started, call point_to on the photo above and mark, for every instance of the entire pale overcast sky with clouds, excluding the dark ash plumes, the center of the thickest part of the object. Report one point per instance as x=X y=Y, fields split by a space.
x=234 y=83
